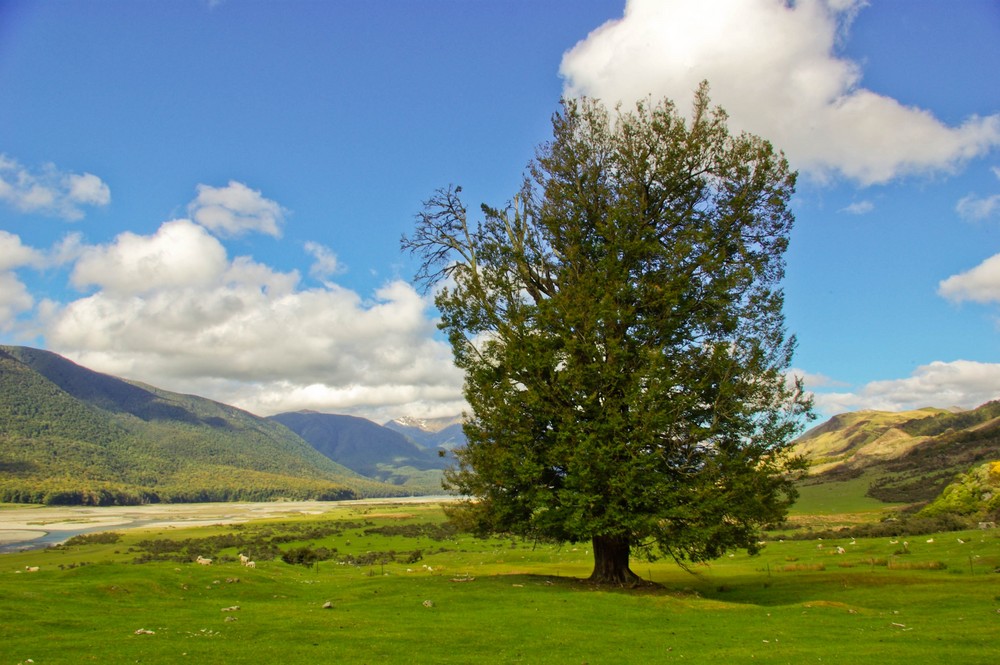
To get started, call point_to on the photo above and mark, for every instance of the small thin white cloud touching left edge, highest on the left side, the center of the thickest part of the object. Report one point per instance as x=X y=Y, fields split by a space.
x=49 y=191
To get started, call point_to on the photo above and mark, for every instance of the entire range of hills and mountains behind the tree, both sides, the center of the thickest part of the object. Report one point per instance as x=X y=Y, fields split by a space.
x=72 y=435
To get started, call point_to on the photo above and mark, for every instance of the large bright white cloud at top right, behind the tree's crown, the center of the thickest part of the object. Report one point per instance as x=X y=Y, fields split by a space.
x=773 y=65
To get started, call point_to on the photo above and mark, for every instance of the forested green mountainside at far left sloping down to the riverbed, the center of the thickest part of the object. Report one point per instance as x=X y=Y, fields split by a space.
x=71 y=435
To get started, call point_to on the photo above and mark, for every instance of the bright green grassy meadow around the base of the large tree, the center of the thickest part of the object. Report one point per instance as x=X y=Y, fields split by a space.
x=392 y=583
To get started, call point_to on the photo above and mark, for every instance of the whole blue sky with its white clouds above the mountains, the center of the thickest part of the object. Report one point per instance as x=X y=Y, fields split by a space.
x=209 y=196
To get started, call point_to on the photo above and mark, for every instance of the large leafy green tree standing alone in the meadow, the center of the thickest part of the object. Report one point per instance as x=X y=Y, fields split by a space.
x=620 y=327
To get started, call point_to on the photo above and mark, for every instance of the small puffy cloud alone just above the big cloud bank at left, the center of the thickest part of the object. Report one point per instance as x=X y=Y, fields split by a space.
x=236 y=209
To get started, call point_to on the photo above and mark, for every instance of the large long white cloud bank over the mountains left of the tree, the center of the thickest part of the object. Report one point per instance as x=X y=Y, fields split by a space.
x=172 y=309
